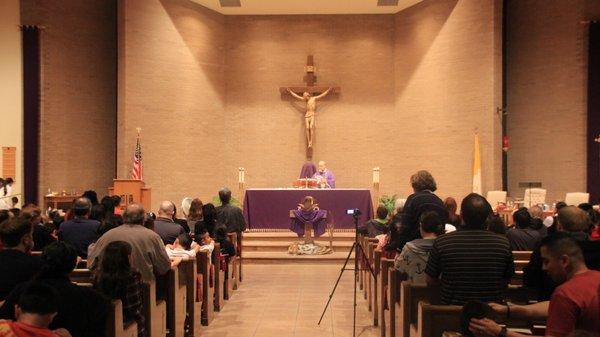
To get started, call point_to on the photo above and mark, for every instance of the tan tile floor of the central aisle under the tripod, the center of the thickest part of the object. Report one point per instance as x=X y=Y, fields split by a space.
x=285 y=300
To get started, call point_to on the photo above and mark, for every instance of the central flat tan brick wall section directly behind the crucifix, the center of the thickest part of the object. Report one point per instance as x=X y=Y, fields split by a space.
x=355 y=130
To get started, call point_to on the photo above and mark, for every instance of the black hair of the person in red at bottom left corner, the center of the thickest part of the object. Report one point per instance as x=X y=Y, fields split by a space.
x=38 y=298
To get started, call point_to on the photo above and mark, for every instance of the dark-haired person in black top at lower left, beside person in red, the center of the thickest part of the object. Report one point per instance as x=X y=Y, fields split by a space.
x=81 y=310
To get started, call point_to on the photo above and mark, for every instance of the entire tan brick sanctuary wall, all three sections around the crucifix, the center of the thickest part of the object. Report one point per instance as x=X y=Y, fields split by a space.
x=205 y=90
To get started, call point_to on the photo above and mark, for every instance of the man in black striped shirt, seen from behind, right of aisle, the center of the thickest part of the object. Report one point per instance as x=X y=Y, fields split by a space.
x=471 y=263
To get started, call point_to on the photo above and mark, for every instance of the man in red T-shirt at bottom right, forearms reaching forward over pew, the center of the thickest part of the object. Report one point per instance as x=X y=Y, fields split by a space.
x=574 y=305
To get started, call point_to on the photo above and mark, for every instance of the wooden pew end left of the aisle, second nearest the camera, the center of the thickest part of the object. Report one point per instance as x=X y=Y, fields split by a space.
x=154 y=310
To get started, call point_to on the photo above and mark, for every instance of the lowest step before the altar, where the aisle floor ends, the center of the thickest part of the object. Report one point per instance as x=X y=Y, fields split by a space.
x=338 y=256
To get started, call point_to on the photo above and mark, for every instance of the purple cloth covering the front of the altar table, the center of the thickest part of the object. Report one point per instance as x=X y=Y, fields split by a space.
x=270 y=208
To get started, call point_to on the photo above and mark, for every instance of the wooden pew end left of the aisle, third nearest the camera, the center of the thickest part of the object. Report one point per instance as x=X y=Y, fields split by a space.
x=176 y=302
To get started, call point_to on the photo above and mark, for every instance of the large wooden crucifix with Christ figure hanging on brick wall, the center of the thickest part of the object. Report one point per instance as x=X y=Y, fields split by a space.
x=309 y=94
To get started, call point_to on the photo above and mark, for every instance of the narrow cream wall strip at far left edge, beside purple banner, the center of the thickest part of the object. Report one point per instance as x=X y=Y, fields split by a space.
x=11 y=85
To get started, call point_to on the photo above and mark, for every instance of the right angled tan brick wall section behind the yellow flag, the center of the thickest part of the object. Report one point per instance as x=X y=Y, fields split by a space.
x=447 y=60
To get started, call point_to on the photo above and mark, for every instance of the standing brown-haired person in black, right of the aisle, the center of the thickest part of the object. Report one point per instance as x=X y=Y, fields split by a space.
x=423 y=199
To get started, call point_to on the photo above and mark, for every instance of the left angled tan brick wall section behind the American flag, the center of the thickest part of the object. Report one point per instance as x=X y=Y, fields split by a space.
x=171 y=84
